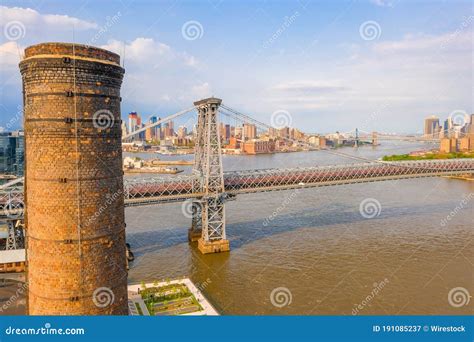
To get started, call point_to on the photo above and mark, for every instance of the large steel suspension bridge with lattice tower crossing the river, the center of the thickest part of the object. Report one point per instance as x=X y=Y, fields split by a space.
x=208 y=188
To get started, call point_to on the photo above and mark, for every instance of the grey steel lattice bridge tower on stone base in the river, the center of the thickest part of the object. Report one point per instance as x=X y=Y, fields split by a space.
x=208 y=220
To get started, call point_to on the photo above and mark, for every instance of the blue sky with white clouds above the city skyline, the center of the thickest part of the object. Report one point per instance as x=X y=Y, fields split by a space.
x=312 y=59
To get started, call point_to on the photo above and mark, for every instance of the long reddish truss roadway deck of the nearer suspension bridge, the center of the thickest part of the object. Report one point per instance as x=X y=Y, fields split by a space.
x=139 y=192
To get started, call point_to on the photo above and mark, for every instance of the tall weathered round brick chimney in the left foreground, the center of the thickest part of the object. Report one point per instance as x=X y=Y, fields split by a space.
x=74 y=181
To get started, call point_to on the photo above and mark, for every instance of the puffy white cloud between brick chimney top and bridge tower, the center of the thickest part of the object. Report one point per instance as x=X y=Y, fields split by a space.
x=158 y=75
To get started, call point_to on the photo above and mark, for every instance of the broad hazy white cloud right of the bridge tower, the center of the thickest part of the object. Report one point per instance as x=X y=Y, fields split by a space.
x=401 y=80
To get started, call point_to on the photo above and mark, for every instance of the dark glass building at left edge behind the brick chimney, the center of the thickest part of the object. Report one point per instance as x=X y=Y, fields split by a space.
x=12 y=153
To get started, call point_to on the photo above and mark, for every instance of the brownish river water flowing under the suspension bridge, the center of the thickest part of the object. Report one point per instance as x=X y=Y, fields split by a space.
x=312 y=252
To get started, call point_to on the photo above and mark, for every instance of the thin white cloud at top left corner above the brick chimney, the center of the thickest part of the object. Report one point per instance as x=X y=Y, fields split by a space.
x=33 y=19
